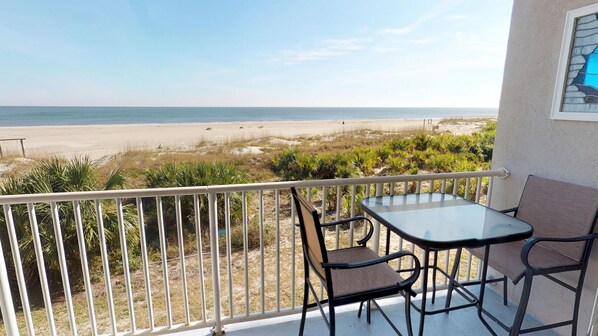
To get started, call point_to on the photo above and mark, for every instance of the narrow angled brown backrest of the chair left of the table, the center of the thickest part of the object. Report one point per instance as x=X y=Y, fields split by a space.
x=311 y=235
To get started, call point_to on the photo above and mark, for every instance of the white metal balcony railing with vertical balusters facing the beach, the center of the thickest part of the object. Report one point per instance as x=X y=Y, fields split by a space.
x=251 y=275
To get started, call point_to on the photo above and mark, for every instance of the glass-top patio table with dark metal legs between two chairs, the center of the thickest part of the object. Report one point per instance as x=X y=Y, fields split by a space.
x=436 y=222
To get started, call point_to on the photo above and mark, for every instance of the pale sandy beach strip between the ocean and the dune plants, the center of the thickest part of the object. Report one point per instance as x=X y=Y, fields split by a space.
x=100 y=140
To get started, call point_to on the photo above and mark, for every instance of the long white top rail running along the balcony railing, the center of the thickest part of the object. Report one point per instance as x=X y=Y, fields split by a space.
x=162 y=192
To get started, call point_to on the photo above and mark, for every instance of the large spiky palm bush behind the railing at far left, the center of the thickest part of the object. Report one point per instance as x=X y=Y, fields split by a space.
x=73 y=218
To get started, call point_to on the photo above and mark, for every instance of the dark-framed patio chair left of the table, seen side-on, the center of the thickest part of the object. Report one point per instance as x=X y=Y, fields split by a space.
x=349 y=275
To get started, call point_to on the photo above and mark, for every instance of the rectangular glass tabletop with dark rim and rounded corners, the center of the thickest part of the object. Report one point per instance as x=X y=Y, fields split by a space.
x=443 y=220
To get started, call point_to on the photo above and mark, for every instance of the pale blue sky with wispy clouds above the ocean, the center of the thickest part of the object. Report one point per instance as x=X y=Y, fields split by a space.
x=312 y=53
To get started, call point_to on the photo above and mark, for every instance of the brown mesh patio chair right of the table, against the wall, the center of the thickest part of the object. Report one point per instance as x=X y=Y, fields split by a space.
x=564 y=216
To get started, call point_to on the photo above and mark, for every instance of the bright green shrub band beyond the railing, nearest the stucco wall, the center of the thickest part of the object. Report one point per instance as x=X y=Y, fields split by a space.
x=409 y=154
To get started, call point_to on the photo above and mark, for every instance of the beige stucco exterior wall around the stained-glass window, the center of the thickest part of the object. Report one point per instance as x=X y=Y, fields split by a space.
x=529 y=142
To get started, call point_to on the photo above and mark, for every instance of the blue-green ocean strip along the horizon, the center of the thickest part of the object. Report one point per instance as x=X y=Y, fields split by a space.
x=72 y=115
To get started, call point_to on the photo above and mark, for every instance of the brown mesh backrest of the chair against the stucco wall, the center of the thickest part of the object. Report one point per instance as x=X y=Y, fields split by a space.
x=559 y=209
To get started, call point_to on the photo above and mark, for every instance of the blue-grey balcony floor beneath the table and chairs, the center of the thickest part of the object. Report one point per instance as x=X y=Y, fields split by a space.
x=463 y=322
